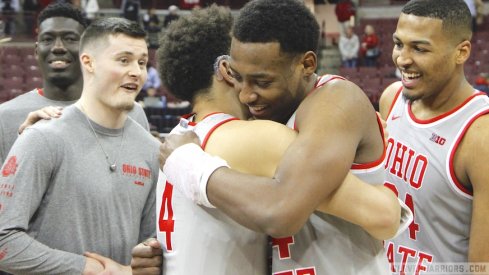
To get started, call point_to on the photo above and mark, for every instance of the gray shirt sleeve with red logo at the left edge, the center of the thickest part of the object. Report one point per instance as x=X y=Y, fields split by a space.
x=24 y=183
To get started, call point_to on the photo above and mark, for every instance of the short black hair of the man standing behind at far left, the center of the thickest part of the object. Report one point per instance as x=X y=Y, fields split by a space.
x=62 y=9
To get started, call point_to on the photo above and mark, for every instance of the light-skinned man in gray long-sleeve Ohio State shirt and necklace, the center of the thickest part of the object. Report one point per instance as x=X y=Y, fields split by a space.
x=85 y=181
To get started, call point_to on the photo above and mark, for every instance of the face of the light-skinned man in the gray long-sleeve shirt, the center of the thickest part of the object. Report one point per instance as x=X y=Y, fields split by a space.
x=116 y=69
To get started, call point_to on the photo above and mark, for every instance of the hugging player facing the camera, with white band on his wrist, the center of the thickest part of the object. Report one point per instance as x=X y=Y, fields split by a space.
x=273 y=70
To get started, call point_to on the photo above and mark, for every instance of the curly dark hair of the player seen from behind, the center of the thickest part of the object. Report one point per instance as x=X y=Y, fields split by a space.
x=189 y=48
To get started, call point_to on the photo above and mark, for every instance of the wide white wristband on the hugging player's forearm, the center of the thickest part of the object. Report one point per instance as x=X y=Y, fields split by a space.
x=188 y=168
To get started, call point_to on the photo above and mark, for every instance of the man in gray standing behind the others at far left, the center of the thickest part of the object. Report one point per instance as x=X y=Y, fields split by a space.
x=60 y=27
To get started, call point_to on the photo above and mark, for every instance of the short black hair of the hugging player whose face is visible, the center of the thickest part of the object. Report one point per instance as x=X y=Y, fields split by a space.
x=288 y=22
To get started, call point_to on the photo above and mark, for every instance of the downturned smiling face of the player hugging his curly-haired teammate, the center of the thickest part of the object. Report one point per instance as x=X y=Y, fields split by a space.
x=268 y=81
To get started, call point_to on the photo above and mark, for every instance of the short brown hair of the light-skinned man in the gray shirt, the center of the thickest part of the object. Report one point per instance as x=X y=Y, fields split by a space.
x=102 y=28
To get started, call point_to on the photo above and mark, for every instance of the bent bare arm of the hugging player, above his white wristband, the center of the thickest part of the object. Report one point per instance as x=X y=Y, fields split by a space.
x=332 y=125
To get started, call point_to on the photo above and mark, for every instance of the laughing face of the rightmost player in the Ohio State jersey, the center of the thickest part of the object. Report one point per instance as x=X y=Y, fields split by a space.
x=428 y=59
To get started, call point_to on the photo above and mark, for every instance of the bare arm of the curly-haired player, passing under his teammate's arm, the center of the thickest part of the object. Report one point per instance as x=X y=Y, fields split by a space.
x=256 y=148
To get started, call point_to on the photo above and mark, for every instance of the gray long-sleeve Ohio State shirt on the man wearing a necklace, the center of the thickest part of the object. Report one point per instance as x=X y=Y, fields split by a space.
x=58 y=198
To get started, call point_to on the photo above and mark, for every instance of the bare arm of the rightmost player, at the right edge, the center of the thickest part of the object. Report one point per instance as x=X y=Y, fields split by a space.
x=471 y=166
